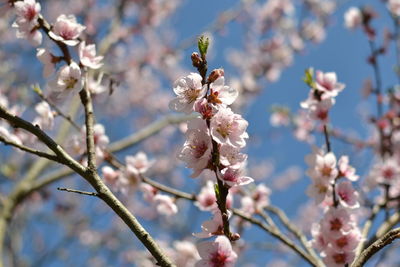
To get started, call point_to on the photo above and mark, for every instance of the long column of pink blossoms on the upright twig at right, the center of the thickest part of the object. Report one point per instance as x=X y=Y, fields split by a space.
x=336 y=236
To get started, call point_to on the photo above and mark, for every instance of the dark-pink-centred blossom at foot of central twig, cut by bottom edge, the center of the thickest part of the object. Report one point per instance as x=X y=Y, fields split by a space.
x=216 y=254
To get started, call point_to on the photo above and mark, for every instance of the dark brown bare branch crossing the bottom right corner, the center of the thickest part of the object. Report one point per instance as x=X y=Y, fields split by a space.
x=374 y=248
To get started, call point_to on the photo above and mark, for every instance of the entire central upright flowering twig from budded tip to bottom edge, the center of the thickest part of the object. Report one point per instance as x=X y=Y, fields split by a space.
x=213 y=141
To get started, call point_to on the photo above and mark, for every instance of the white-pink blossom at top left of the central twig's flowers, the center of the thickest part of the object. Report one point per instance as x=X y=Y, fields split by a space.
x=188 y=89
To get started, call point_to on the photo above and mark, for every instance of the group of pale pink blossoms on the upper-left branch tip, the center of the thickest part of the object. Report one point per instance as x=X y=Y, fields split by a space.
x=65 y=31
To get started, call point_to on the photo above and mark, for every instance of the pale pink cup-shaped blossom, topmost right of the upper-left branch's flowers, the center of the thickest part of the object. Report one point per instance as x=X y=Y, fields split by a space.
x=67 y=30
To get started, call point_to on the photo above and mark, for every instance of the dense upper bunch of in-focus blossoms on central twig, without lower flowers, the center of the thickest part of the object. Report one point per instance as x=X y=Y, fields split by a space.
x=217 y=131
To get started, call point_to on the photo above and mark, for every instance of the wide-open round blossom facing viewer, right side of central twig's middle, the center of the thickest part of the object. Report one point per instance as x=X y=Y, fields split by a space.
x=228 y=127
